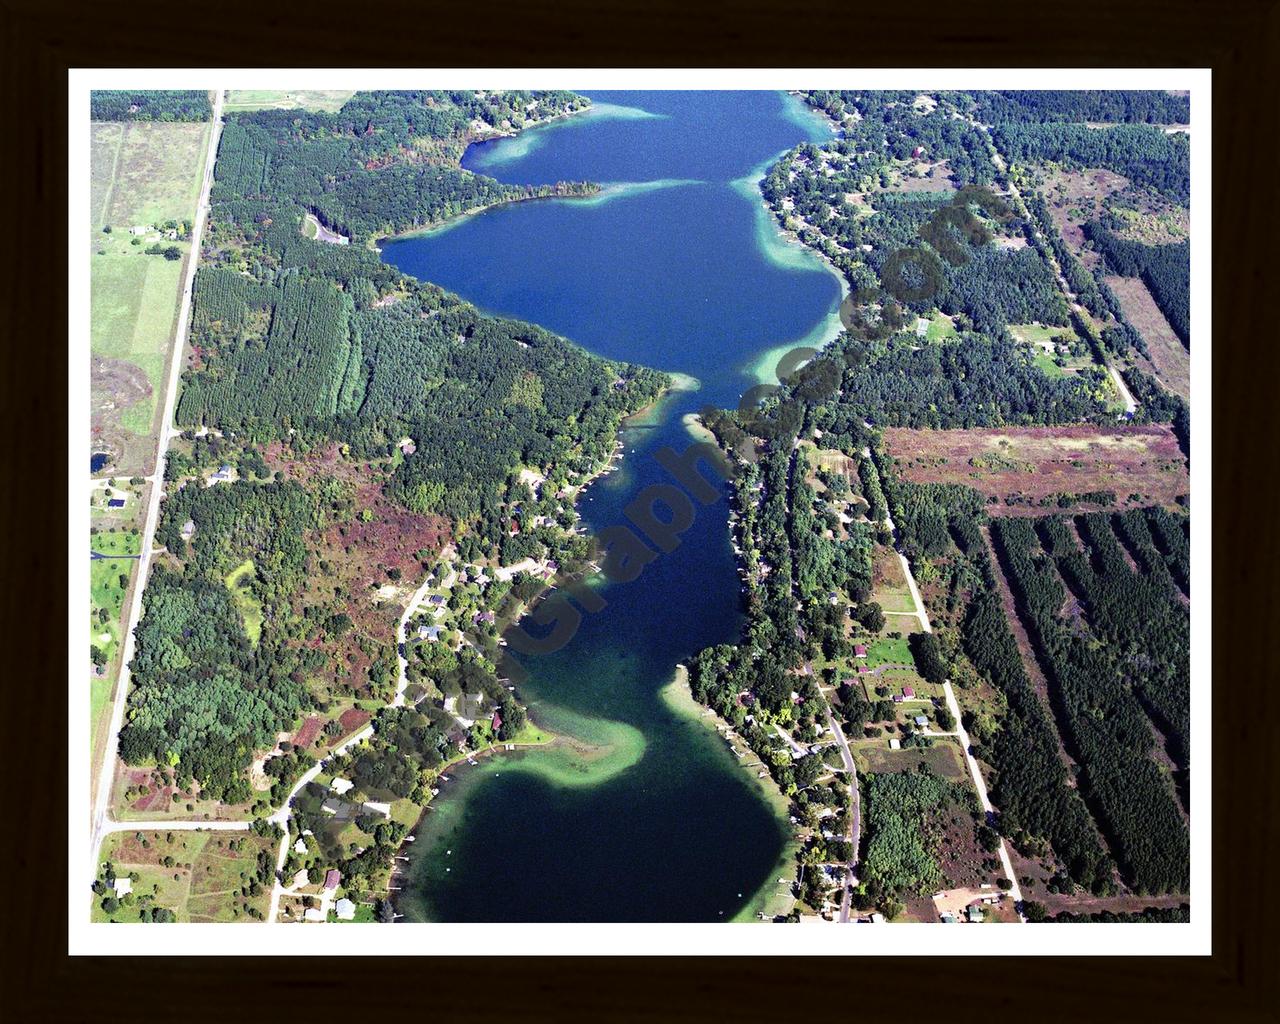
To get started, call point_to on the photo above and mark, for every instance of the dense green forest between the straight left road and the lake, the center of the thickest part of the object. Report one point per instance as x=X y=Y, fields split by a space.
x=303 y=348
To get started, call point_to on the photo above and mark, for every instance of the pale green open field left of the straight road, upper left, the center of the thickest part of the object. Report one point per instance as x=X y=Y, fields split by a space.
x=144 y=176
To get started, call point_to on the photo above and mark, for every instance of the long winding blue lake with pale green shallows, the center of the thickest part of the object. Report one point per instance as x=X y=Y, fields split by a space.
x=680 y=269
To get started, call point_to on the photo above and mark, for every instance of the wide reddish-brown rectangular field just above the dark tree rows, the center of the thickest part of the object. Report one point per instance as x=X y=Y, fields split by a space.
x=1037 y=463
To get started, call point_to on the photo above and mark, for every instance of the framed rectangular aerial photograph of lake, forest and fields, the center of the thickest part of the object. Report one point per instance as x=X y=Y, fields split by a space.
x=548 y=506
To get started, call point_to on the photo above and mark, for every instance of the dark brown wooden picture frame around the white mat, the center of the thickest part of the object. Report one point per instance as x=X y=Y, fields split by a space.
x=1238 y=39
